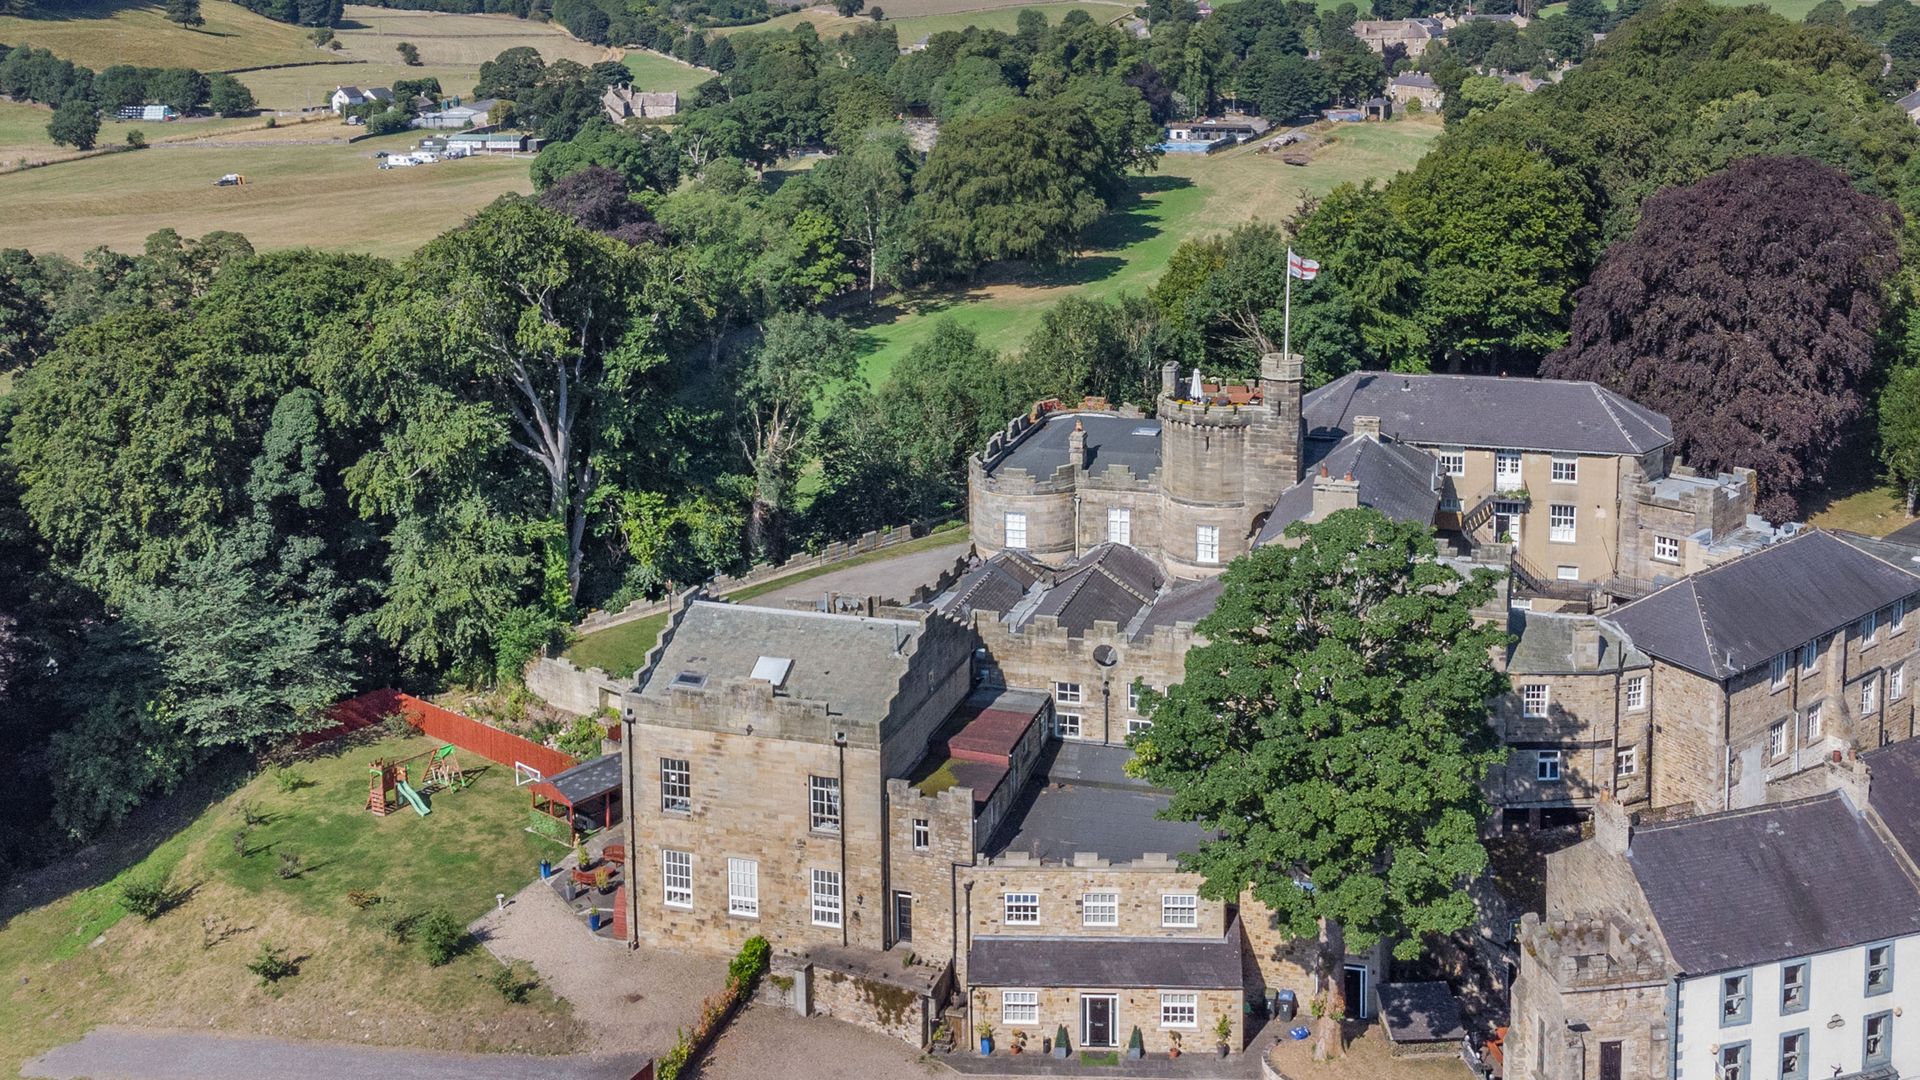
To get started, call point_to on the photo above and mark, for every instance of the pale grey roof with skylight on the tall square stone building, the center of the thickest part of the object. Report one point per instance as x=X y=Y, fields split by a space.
x=850 y=662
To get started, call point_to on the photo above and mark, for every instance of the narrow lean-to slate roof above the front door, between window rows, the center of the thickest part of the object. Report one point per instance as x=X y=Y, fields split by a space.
x=1118 y=964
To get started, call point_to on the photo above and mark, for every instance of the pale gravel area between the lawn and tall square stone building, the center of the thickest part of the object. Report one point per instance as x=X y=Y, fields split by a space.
x=635 y=1002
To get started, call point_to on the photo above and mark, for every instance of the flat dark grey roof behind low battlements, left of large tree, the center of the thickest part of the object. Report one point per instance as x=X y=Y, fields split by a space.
x=1090 y=804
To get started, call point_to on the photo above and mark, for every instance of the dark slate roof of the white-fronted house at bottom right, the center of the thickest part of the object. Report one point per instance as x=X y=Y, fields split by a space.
x=1771 y=883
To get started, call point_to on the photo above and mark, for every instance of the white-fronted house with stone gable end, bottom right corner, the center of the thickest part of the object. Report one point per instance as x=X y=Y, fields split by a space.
x=1748 y=945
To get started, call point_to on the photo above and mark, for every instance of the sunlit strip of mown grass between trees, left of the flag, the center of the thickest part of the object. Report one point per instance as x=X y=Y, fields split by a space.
x=1188 y=197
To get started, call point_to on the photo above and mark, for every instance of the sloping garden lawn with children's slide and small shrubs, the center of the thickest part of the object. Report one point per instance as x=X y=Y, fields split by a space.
x=82 y=962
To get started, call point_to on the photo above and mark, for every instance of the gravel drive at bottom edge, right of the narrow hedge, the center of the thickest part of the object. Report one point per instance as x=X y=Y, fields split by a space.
x=773 y=1041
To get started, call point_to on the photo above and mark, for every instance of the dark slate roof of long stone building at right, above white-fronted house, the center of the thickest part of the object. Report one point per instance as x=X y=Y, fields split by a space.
x=1746 y=612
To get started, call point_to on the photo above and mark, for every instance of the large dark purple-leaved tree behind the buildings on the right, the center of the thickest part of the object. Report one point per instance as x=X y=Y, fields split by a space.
x=1746 y=308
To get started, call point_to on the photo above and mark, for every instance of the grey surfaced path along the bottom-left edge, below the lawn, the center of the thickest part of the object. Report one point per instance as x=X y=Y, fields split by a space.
x=139 y=1054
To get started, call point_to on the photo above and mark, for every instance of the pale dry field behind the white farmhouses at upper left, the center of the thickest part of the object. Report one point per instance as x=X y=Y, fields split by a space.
x=452 y=51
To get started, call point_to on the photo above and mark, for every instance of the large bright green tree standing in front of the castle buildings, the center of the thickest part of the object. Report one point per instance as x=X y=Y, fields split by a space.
x=1333 y=735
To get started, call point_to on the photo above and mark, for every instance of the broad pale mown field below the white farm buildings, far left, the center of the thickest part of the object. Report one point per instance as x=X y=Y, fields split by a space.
x=306 y=187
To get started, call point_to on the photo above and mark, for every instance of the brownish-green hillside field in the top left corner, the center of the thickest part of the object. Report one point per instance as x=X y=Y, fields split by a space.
x=101 y=34
